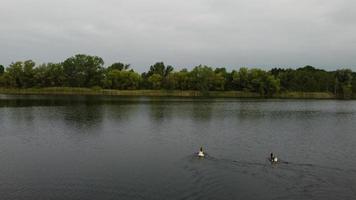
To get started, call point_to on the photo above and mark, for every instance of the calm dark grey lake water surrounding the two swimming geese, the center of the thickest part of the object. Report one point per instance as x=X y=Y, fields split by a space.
x=58 y=147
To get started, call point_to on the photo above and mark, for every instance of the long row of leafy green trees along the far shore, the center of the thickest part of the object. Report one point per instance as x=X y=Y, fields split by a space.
x=89 y=71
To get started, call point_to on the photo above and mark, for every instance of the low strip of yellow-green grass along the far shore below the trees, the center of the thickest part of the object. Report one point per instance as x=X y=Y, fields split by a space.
x=163 y=93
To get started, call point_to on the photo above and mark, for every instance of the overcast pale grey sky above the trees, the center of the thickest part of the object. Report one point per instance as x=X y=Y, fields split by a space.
x=218 y=33
